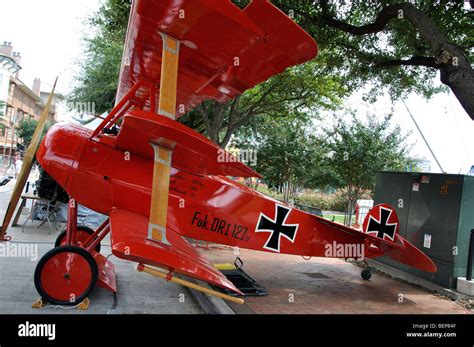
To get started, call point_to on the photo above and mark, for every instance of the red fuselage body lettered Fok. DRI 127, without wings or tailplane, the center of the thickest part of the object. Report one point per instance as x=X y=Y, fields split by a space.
x=211 y=208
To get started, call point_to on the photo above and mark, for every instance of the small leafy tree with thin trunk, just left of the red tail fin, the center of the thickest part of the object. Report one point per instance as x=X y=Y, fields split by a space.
x=356 y=151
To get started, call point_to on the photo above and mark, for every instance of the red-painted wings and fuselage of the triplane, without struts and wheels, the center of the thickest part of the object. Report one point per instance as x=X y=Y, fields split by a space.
x=112 y=174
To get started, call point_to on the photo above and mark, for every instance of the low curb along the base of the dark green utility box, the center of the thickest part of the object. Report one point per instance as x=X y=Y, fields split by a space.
x=412 y=279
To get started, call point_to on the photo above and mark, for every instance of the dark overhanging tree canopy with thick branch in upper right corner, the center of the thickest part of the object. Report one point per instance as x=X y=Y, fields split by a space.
x=394 y=45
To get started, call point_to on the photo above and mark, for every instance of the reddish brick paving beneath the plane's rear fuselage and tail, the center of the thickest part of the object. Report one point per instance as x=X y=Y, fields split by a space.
x=323 y=285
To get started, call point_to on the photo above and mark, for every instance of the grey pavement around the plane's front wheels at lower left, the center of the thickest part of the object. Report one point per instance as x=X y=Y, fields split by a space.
x=138 y=292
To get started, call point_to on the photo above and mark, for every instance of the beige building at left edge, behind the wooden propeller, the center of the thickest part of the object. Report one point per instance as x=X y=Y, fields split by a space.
x=17 y=102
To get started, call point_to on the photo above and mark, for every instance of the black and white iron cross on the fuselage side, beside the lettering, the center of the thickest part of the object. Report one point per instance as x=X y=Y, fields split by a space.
x=277 y=228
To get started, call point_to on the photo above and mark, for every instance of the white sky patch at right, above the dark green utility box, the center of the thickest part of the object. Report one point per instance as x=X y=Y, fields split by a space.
x=445 y=125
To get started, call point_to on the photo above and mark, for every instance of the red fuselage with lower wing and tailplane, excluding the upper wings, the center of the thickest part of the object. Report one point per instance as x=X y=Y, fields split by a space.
x=210 y=208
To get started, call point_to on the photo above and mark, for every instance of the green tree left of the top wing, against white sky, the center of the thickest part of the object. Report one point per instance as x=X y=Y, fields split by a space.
x=100 y=65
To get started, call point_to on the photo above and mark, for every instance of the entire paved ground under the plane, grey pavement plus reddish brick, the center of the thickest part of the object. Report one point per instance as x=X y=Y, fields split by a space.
x=295 y=285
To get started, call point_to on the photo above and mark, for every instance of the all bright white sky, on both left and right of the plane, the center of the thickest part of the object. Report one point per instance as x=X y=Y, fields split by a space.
x=48 y=35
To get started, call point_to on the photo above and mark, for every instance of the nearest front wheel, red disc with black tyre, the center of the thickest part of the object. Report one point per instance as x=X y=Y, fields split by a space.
x=66 y=275
